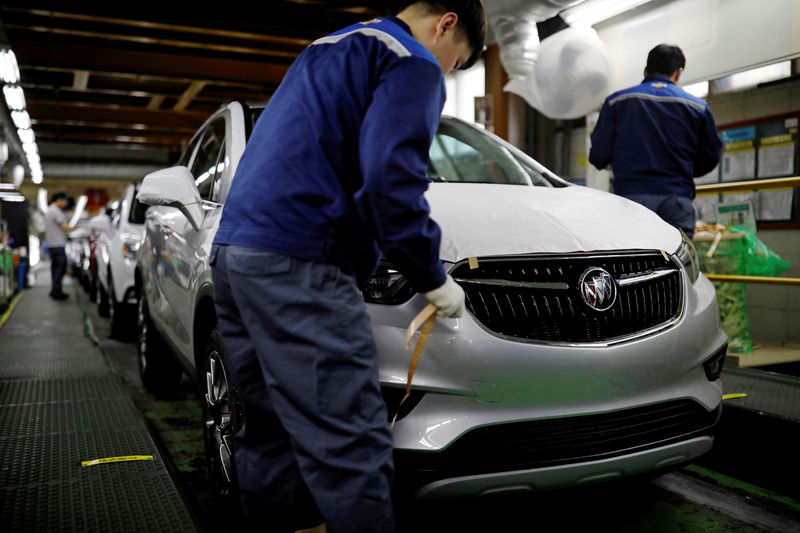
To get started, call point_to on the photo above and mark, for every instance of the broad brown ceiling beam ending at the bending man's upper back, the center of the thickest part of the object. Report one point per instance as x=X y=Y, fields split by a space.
x=82 y=57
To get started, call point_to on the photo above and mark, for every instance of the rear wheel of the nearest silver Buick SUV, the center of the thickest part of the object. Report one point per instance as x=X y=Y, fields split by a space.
x=158 y=369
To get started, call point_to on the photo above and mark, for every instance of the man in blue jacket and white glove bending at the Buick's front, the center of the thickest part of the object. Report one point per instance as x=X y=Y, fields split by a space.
x=333 y=175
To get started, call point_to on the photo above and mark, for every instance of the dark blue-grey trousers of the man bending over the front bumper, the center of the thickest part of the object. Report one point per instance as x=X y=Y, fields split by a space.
x=299 y=344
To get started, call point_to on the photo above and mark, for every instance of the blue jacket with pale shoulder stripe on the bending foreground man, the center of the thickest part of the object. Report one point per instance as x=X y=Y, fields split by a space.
x=335 y=169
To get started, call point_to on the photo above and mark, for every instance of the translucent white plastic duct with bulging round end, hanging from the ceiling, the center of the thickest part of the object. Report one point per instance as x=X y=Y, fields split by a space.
x=564 y=76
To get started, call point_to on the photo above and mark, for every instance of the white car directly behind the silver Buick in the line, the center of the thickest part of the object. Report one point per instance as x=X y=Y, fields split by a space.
x=116 y=261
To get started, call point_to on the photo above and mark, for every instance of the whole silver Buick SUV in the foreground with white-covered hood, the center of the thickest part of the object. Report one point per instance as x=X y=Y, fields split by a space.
x=590 y=348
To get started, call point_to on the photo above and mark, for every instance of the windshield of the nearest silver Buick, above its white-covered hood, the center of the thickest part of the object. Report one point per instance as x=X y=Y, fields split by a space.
x=463 y=154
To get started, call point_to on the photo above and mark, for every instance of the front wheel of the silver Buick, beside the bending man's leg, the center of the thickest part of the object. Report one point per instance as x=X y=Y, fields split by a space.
x=223 y=414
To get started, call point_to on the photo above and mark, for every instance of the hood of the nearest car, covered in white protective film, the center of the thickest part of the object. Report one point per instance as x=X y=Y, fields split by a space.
x=480 y=219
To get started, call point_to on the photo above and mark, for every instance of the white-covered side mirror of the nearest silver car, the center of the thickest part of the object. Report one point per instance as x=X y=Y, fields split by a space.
x=173 y=187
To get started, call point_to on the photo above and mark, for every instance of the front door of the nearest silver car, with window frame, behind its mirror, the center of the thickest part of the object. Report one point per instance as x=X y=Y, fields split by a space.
x=183 y=243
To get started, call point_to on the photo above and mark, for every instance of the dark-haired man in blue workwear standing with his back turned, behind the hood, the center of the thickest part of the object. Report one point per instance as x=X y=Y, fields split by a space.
x=657 y=139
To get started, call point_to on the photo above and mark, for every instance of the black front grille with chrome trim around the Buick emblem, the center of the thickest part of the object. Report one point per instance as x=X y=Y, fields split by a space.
x=525 y=297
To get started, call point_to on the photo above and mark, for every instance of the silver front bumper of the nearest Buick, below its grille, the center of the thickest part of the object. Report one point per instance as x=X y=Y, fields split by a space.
x=468 y=378
